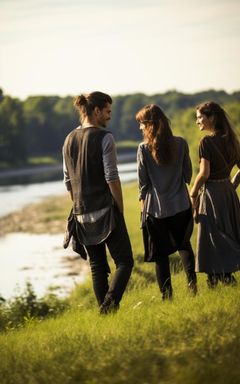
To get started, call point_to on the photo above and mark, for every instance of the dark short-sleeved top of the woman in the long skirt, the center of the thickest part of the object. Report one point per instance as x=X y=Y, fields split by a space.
x=213 y=149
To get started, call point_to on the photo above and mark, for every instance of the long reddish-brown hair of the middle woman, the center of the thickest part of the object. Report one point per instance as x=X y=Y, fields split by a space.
x=157 y=133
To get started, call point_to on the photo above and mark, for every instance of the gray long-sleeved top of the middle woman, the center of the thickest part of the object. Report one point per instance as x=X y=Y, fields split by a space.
x=163 y=187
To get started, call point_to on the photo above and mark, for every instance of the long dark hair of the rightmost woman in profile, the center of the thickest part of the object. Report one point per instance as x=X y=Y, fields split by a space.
x=223 y=127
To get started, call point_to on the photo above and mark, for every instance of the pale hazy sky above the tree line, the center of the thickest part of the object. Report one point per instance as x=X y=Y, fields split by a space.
x=66 y=47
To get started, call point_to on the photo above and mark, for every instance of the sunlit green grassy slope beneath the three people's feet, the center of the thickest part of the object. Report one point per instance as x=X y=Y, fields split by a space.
x=189 y=340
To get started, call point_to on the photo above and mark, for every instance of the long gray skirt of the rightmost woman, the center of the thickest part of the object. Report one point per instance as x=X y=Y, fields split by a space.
x=218 y=241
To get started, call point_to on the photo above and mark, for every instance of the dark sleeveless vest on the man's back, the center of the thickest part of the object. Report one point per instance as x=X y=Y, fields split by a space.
x=83 y=157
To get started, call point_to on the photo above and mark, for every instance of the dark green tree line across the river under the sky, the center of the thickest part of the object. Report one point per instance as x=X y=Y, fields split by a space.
x=37 y=126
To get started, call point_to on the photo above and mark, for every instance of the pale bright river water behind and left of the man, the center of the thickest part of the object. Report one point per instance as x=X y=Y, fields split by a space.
x=40 y=259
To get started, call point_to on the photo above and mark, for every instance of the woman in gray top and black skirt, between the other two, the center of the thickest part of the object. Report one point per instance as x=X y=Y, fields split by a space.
x=164 y=168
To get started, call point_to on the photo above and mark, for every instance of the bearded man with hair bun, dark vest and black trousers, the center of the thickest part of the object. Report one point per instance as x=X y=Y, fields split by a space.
x=91 y=177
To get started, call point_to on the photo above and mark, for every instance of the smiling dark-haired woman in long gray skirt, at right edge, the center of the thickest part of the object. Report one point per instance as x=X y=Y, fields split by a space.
x=214 y=197
